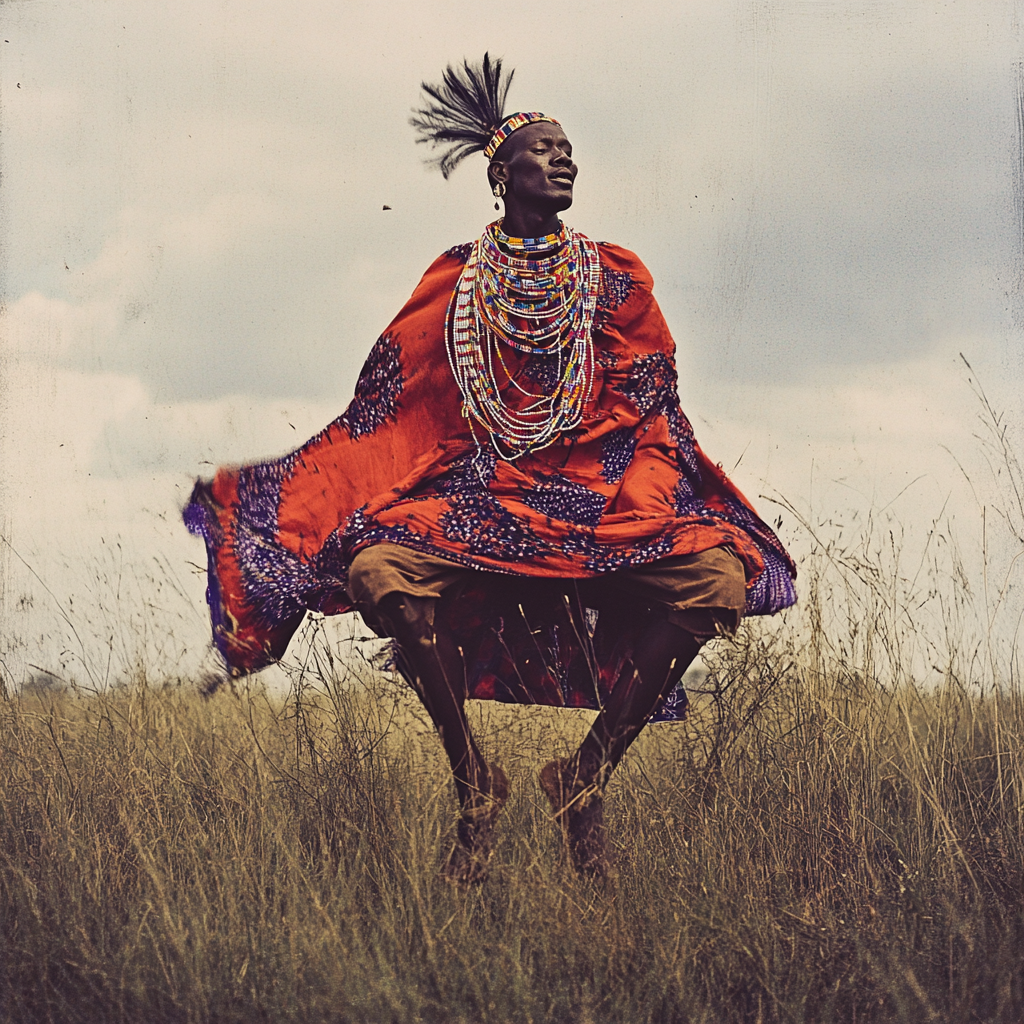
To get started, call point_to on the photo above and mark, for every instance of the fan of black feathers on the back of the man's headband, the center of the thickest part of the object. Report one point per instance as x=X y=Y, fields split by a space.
x=463 y=112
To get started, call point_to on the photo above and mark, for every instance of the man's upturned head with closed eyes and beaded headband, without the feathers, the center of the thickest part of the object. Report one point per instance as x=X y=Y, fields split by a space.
x=538 y=167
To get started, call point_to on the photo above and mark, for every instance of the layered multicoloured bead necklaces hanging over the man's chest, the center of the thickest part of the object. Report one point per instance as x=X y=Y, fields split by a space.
x=542 y=307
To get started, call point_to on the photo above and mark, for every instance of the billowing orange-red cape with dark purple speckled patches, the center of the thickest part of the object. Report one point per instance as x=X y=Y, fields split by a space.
x=404 y=465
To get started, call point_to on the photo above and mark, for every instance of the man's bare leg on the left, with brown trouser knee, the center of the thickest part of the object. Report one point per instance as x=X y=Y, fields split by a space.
x=435 y=667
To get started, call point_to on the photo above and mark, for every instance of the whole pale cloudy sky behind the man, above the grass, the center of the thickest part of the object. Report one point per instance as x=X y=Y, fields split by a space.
x=196 y=257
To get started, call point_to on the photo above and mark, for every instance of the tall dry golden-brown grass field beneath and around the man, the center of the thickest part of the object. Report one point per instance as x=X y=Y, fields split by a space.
x=835 y=836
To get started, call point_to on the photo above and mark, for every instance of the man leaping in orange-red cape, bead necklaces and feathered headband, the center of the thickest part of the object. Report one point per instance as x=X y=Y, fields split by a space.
x=514 y=495
